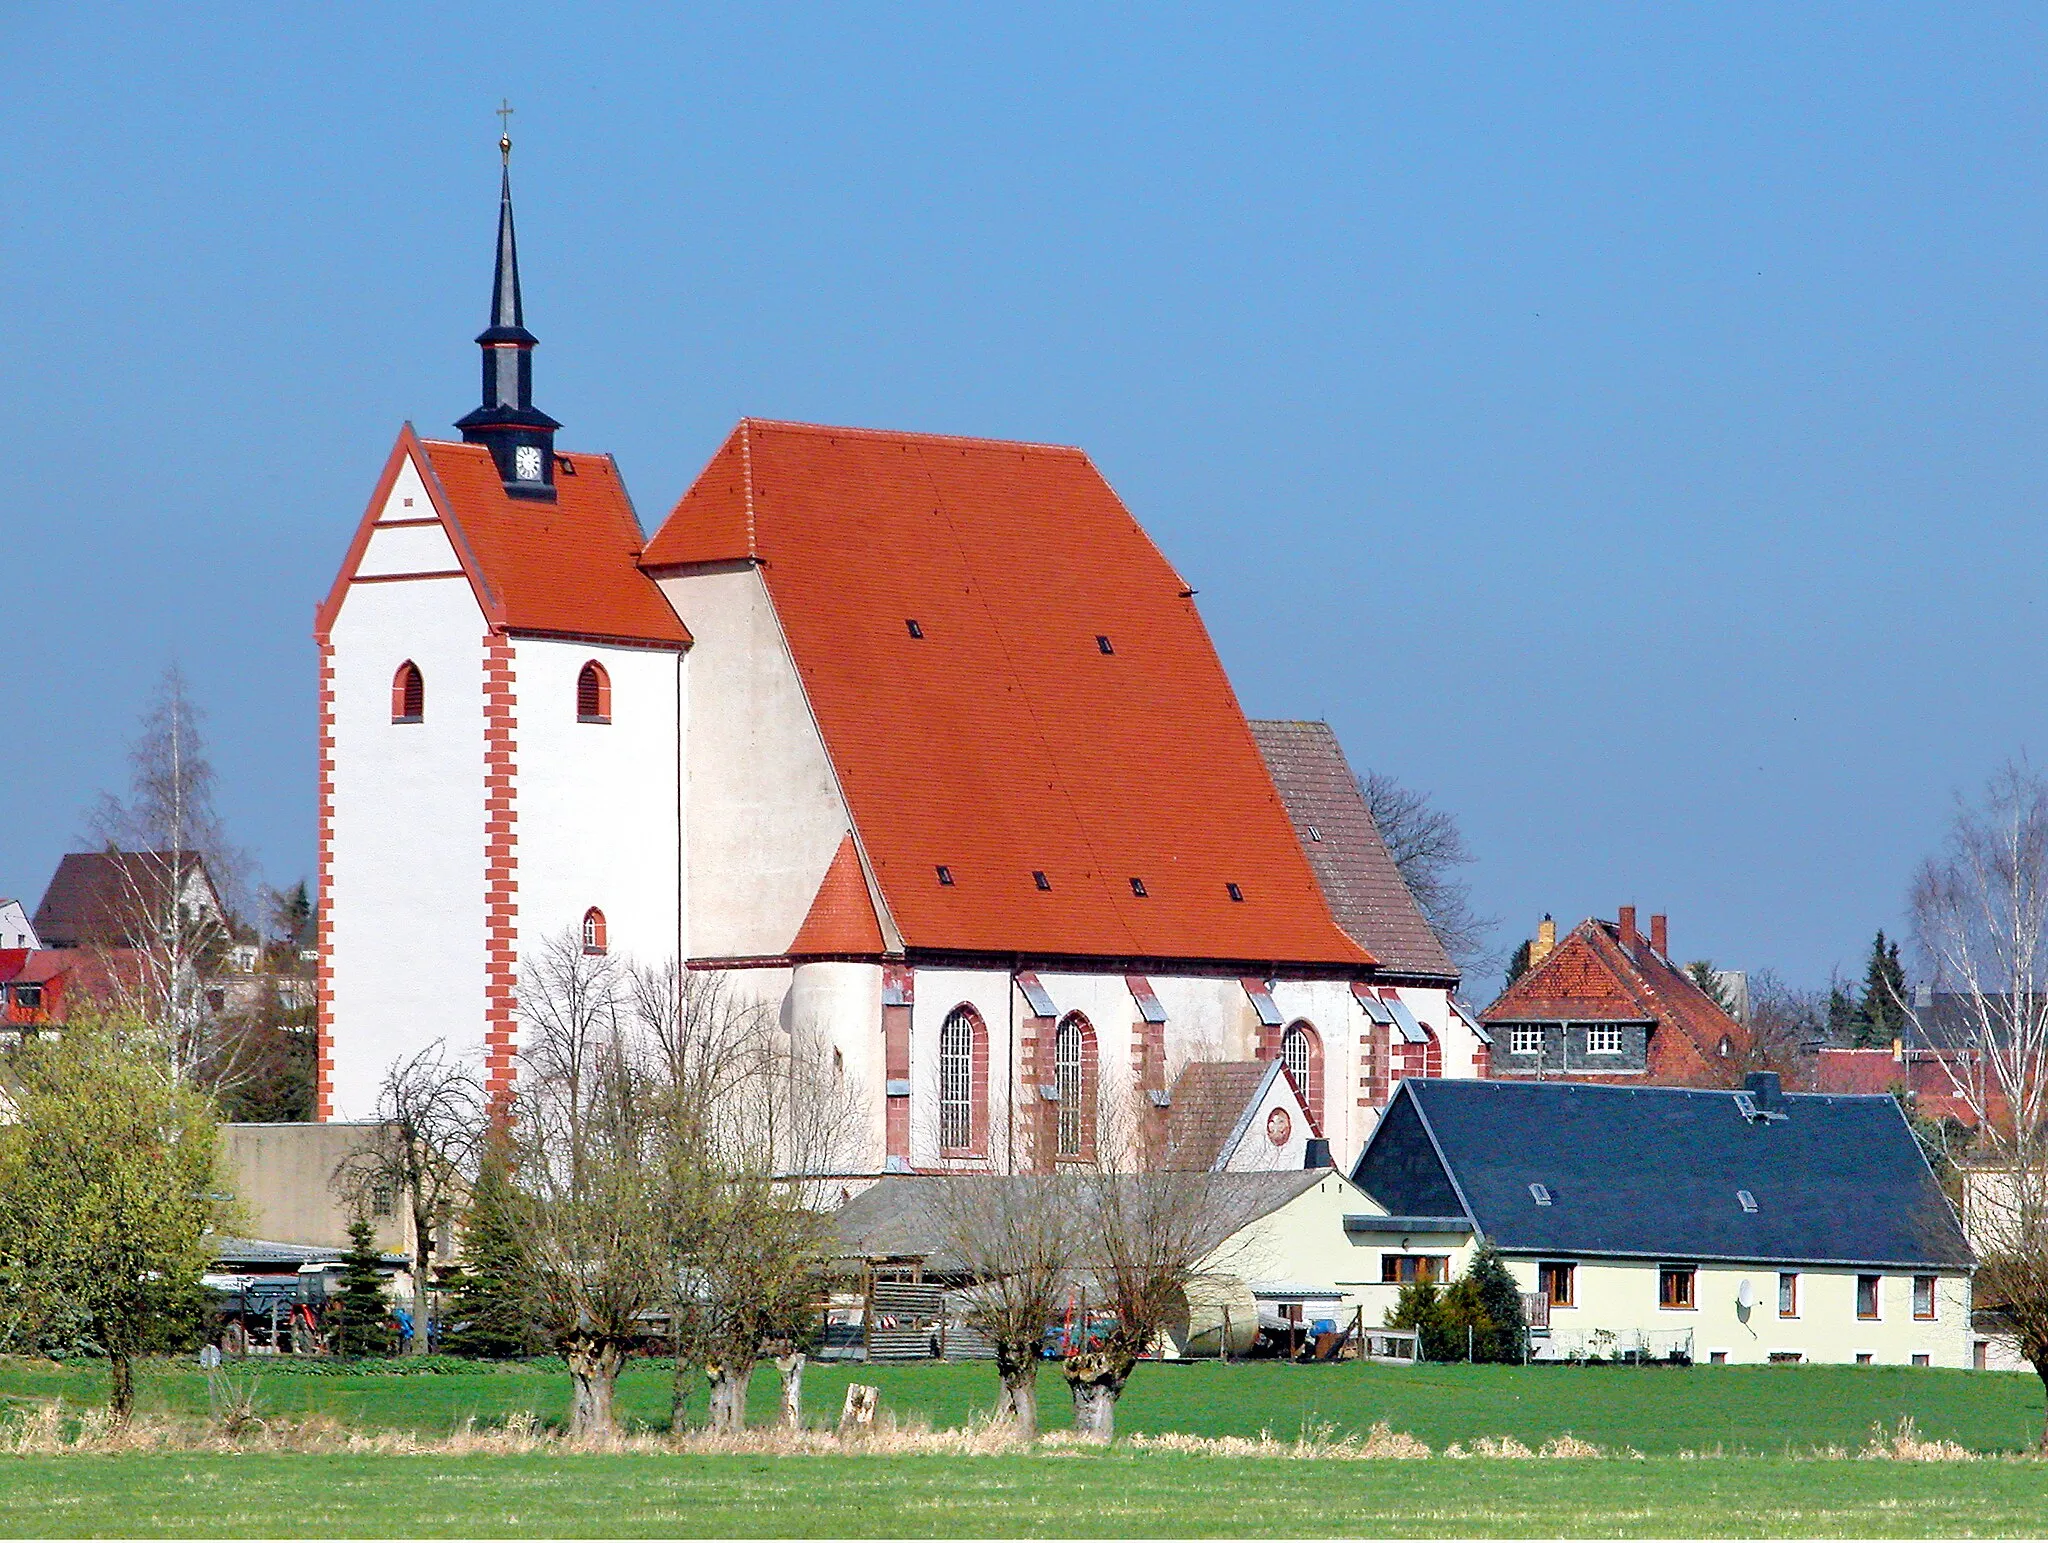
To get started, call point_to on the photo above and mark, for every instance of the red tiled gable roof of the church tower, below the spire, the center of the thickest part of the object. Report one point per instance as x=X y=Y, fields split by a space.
x=566 y=569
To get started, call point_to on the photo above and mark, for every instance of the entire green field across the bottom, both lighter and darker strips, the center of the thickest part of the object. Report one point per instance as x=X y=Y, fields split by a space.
x=1762 y=1421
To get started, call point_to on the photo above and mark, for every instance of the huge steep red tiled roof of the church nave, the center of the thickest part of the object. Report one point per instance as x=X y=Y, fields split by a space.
x=1009 y=739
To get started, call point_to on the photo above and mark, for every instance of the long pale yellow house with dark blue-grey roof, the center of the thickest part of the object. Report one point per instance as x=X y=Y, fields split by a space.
x=1719 y=1226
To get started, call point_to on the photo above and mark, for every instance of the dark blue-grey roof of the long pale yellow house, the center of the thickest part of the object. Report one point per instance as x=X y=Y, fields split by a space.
x=1654 y=1173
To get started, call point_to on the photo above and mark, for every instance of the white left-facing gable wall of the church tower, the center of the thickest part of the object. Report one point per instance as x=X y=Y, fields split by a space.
x=404 y=892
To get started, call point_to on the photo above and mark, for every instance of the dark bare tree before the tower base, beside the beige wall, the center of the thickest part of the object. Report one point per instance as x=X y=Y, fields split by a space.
x=429 y=1132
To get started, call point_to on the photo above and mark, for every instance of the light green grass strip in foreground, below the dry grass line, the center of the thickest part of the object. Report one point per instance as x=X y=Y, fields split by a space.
x=1123 y=1495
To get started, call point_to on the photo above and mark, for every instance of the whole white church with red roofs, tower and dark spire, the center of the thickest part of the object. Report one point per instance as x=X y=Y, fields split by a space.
x=919 y=739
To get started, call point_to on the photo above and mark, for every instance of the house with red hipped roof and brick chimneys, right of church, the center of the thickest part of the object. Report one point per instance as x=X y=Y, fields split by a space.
x=1609 y=1005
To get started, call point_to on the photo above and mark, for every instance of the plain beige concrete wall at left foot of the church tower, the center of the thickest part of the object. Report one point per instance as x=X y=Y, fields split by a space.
x=284 y=1185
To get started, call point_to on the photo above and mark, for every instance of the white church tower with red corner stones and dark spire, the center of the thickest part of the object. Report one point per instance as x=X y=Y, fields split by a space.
x=501 y=731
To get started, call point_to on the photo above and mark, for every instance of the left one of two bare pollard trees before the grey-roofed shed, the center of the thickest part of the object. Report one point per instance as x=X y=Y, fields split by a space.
x=1017 y=1243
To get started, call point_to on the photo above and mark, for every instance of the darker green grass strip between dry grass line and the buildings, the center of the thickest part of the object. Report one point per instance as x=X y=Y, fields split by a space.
x=1760 y=1411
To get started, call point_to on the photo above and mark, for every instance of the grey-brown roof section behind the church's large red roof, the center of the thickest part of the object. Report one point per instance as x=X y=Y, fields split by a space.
x=1361 y=882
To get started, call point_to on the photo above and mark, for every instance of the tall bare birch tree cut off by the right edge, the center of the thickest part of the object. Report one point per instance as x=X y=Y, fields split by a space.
x=1981 y=925
